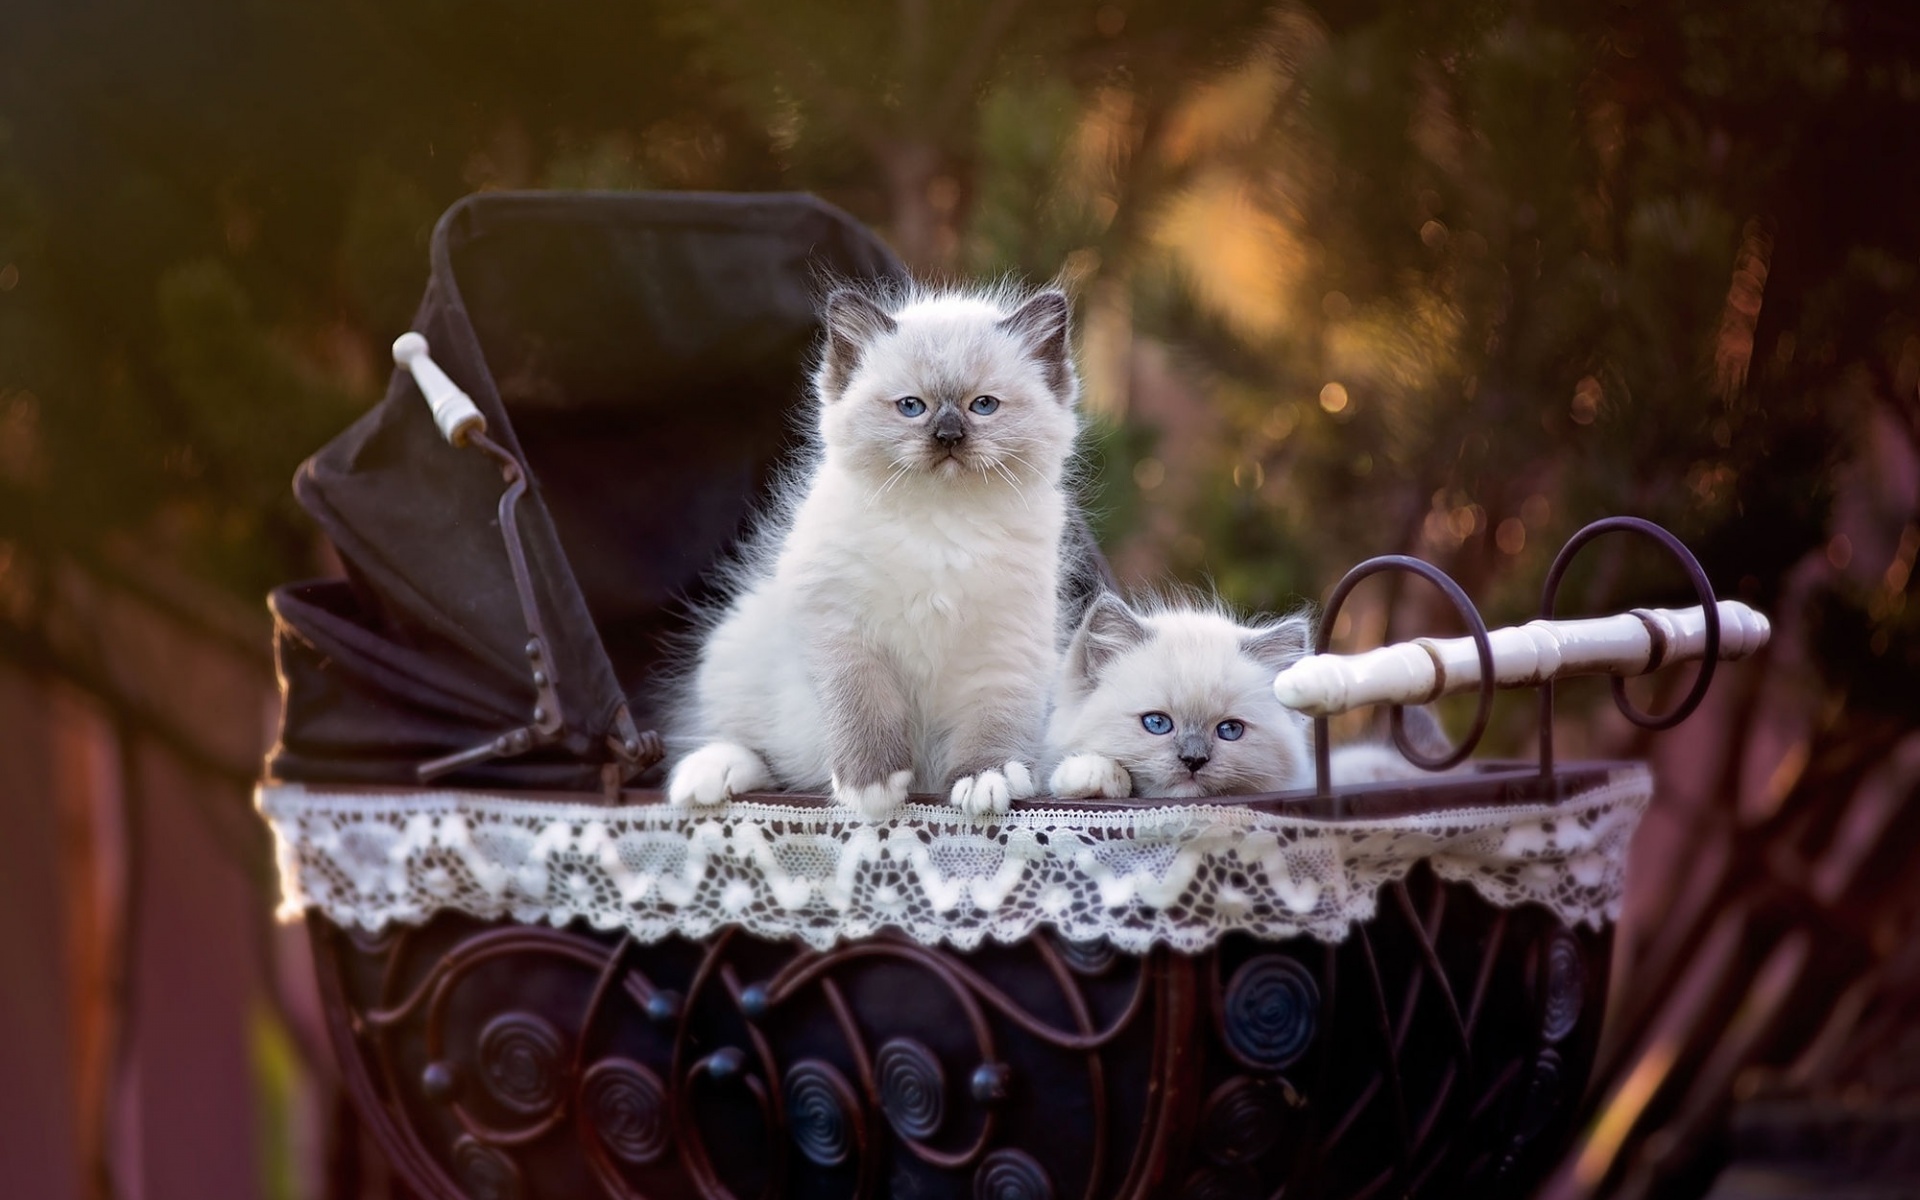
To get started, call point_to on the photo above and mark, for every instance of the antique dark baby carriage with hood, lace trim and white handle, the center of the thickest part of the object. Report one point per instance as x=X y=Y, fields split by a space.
x=544 y=982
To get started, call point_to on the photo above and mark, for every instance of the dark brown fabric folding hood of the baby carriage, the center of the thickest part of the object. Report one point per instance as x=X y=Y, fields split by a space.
x=642 y=356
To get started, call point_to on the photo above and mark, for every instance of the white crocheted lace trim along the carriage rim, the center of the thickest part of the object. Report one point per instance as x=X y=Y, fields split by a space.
x=1176 y=876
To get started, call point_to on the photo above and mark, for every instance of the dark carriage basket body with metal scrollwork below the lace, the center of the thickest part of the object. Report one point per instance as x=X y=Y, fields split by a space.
x=529 y=1063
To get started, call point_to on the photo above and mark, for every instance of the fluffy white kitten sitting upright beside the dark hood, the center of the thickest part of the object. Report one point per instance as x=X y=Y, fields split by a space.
x=901 y=635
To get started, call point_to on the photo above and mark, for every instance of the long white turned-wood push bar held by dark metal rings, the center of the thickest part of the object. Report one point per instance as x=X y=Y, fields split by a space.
x=1426 y=669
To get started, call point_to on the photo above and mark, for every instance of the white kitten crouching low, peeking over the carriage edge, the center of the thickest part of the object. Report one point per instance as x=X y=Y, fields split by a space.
x=1176 y=702
